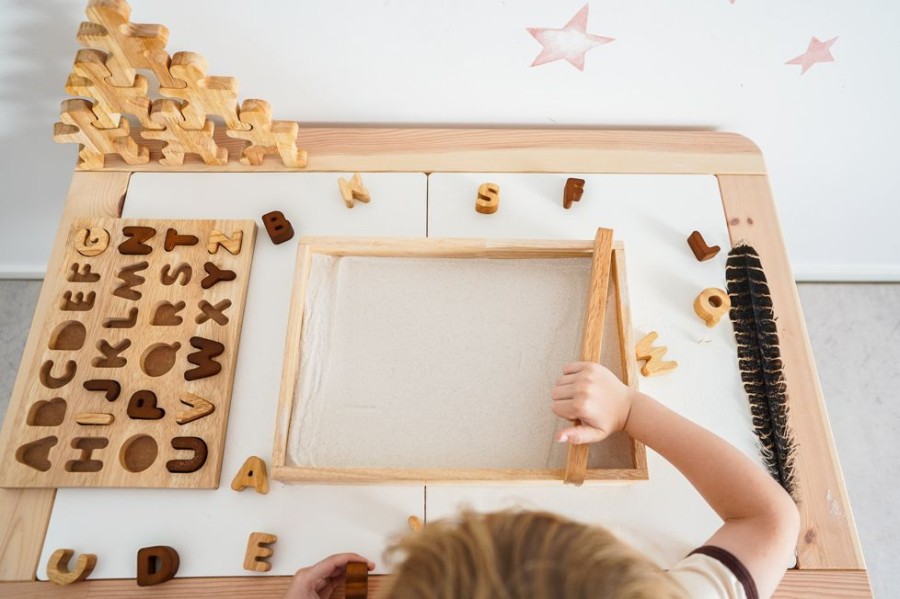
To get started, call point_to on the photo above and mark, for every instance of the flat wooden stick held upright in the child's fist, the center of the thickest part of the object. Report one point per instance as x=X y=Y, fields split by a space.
x=591 y=338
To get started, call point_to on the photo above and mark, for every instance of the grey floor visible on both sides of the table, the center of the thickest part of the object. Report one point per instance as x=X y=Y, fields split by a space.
x=855 y=334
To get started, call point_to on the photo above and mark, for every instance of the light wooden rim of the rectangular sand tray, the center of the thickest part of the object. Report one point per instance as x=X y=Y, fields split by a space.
x=283 y=468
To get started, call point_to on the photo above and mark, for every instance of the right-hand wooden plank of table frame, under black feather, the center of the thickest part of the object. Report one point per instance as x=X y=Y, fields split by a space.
x=828 y=537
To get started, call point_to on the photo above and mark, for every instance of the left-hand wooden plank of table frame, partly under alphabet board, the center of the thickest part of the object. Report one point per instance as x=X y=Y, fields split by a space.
x=26 y=512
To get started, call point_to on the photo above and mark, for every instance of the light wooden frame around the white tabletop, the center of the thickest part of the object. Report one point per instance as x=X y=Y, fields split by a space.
x=830 y=561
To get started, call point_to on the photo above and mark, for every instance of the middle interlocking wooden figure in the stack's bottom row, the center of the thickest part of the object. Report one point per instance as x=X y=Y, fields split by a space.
x=167 y=115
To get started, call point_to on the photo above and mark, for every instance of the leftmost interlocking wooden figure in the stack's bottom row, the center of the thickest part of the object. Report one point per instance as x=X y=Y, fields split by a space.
x=77 y=126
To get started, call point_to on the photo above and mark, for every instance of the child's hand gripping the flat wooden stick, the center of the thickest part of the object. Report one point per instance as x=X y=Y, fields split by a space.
x=591 y=393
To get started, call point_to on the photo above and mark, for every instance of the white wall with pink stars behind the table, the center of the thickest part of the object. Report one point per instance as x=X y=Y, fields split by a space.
x=826 y=135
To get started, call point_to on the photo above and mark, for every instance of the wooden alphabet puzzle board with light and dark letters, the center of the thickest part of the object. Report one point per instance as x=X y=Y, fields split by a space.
x=131 y=384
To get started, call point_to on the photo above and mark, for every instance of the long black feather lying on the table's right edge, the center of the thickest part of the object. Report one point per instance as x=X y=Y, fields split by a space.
x=759 y=358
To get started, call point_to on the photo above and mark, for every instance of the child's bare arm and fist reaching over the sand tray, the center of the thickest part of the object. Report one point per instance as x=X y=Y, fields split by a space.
x=761 y=520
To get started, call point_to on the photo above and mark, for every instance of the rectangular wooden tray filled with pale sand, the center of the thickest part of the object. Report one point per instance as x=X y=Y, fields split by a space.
x=333 y=418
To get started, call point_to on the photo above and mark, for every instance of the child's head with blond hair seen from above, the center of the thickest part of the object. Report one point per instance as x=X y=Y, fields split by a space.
x=523 y=554
